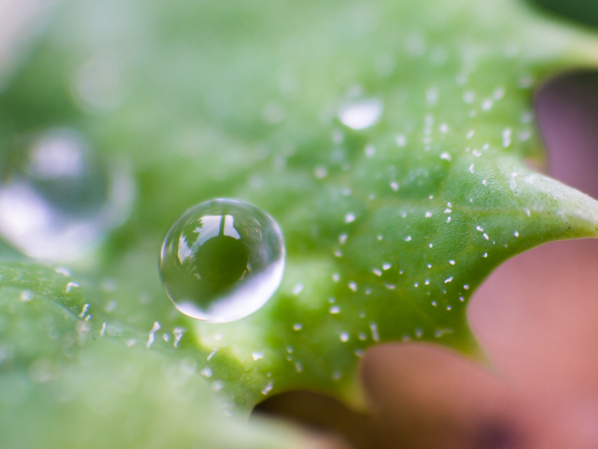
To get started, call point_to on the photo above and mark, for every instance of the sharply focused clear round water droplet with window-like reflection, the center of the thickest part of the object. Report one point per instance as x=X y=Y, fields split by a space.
x=222 y=260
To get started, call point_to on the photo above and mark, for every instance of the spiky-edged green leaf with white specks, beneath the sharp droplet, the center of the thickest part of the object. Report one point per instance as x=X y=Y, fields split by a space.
x=388 y=229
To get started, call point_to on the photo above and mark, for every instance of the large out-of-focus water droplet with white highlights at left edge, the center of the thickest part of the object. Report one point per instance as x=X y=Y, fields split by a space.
x=57 y=198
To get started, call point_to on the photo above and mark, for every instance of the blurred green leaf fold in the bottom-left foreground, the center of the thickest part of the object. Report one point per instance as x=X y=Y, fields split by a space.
x=80 y=385
